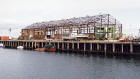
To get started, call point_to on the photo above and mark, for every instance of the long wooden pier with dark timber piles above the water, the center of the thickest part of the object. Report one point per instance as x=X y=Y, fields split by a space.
x=80 y=46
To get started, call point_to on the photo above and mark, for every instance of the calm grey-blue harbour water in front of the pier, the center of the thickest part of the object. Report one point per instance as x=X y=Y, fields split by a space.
x=23 y=64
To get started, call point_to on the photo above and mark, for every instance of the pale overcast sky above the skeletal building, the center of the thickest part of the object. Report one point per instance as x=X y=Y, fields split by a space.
x=17 y=14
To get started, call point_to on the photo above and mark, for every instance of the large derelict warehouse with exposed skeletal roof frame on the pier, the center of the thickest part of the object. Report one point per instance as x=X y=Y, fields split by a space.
x=102 y=26
